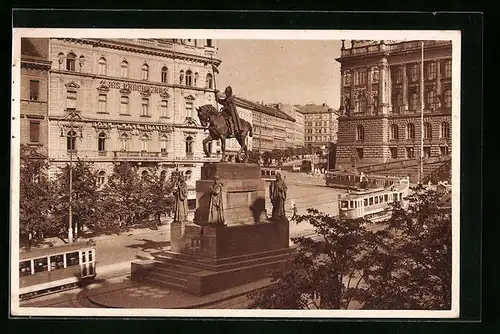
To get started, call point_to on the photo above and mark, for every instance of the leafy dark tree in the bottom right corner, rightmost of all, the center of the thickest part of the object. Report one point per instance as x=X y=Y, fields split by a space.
x=414 y=268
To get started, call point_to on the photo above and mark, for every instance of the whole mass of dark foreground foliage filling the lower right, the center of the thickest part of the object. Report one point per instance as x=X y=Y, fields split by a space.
x=404 y=263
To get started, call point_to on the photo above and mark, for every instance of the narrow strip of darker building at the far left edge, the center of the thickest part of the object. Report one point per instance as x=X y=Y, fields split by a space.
x=35 y=67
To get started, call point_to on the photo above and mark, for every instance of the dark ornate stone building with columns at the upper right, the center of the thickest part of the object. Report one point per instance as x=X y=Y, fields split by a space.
x=380 y=101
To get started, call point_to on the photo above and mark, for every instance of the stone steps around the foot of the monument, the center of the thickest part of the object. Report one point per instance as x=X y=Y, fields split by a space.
x=175 y=271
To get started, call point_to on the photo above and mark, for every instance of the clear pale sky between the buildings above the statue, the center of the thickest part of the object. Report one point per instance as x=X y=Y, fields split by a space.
x=286 y=71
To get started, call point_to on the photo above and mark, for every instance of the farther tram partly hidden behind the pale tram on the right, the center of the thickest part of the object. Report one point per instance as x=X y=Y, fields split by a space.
x=358 y=180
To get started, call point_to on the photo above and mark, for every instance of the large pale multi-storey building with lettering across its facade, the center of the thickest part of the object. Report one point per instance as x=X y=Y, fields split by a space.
x=135 y=101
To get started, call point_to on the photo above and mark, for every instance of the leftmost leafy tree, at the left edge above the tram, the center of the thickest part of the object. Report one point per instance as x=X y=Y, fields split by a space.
x=36 y=198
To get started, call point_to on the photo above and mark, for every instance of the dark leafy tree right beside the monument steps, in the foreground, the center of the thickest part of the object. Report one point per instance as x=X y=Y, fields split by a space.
x=326 y=271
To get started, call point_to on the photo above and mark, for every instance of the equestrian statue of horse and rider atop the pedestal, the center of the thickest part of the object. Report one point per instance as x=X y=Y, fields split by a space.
x=225 y=124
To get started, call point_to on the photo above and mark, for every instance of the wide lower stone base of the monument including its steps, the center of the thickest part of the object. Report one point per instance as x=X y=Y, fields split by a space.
x=206 y=259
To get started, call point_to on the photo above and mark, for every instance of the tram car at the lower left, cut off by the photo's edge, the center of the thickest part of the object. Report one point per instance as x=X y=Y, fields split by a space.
x=47 y=270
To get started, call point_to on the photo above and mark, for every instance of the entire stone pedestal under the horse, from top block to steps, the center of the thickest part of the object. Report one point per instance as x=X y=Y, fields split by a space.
x=207 y=258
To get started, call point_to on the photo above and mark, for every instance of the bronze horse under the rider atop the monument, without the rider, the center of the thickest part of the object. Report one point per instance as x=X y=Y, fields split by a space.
x=218 y=129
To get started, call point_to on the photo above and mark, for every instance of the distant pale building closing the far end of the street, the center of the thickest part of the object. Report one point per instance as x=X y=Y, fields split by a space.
x=320 y=125
